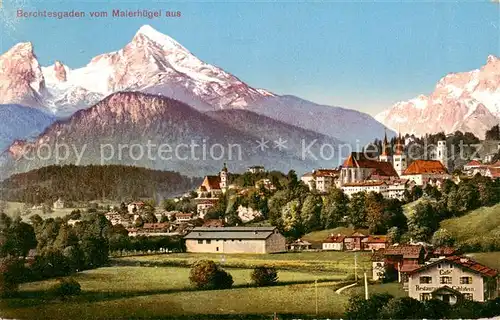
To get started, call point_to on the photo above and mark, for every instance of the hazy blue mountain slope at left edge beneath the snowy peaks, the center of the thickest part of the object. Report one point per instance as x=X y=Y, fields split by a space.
x=18 y=122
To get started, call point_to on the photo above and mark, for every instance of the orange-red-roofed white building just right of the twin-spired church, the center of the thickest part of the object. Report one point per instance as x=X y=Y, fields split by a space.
x=421 y=171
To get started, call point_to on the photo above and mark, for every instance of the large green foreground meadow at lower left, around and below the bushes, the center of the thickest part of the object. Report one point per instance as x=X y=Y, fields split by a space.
x=153 y=293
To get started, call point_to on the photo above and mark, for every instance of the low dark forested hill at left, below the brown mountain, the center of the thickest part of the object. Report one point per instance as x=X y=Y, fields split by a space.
x=86 y=183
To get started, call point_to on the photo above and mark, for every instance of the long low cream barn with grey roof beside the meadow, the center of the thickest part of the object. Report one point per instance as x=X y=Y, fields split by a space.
x=235 y=240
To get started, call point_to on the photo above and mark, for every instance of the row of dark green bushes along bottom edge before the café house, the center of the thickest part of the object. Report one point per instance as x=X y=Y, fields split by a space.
x=385 y=306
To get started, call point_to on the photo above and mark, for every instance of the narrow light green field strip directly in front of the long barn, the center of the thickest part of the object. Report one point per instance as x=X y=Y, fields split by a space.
x=341 y=263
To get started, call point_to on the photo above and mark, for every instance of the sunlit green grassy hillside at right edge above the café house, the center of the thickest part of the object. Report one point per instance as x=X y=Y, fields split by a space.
x=483 y=222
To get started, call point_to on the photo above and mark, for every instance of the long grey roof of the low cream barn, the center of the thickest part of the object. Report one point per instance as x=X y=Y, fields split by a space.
x=231 y=233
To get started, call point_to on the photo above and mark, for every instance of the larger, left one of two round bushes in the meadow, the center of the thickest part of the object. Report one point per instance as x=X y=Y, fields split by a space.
x=205 y=274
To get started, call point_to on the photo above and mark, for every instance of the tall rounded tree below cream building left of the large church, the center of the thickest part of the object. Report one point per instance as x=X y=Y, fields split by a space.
x=334 y=209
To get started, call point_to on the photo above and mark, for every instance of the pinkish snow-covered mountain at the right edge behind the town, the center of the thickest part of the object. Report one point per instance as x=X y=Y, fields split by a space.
x=466 y=101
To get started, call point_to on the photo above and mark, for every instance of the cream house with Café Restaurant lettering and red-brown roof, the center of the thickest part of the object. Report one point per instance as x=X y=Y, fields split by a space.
x=452 y=279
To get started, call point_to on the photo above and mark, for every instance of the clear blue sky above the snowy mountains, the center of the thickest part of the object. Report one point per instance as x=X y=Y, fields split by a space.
x=364 y=55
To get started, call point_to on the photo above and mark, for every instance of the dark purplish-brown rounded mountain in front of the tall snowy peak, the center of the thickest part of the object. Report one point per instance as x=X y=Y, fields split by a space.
x=149 y=131
